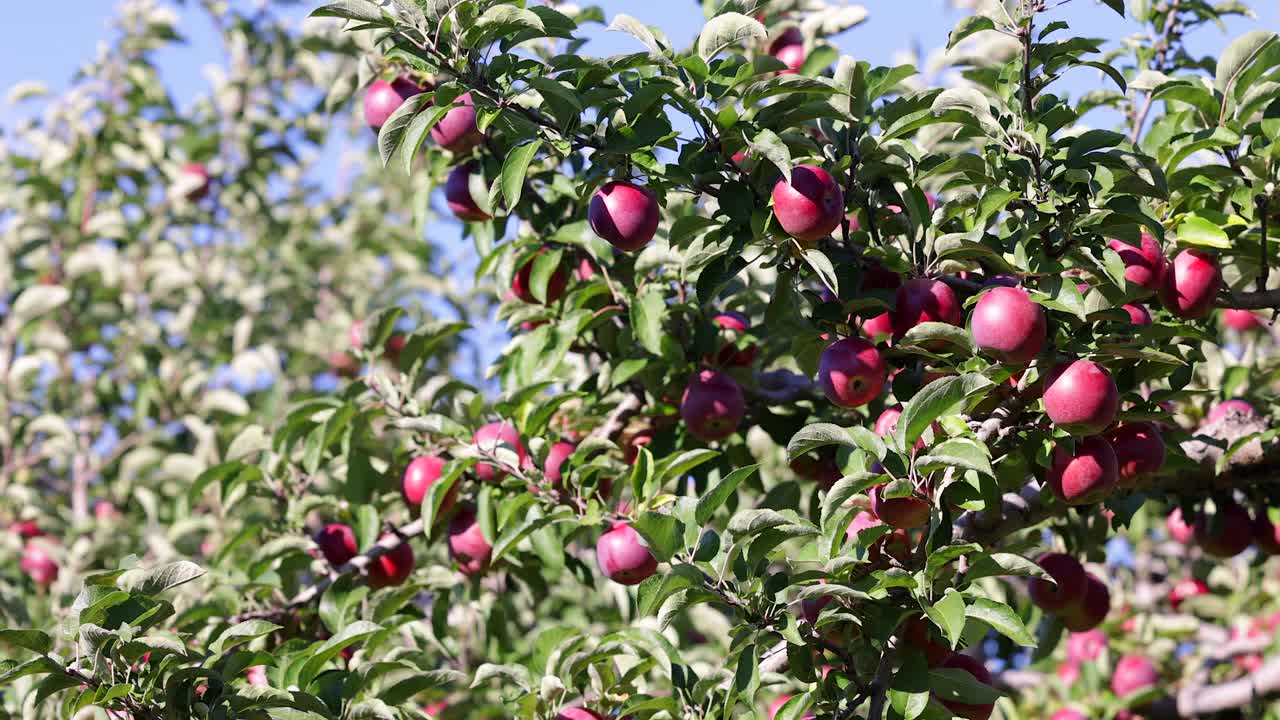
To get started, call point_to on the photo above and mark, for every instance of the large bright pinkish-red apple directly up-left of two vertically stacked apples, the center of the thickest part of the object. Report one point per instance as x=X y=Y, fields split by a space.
x=1009 y=326
